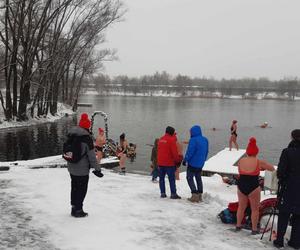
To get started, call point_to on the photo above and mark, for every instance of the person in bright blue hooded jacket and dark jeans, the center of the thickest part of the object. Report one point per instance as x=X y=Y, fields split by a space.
x=195 y=158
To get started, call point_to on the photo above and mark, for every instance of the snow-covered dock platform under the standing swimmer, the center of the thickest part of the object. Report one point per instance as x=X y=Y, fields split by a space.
x=223 y=162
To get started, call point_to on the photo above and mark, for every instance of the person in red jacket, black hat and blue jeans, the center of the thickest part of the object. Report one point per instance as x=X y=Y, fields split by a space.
x=167 y=159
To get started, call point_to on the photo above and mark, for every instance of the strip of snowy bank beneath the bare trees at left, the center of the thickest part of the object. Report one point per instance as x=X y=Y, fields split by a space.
x=62 y=110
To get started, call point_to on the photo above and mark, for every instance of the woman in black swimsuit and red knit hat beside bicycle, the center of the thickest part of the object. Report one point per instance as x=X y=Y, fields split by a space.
x=248 y=184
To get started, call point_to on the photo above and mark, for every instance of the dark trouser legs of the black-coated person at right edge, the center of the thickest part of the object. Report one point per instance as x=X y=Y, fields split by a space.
x=283 y=221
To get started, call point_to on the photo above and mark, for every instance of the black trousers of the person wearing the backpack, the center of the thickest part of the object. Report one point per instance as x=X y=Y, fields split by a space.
x=79 y=185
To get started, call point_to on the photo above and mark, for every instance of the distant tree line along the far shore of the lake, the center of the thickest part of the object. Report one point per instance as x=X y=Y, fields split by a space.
x=185 y=85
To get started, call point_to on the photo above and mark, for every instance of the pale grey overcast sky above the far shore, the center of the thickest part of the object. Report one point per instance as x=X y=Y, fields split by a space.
x=212 y=38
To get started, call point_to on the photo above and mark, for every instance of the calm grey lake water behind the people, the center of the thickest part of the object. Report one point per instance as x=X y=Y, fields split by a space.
x=143 y=119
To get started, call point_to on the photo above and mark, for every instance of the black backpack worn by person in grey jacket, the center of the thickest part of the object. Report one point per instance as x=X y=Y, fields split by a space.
x=72 y=148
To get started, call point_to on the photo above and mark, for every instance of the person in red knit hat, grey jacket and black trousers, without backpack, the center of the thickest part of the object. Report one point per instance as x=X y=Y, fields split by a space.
x=79 y=171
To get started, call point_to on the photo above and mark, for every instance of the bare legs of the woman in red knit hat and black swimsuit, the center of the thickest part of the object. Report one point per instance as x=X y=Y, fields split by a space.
x=254 y=198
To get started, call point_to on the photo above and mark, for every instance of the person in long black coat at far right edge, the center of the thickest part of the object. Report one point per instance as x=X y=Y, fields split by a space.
x=288 y=174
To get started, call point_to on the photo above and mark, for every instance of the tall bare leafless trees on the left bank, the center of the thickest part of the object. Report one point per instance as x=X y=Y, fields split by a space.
x=48 y=48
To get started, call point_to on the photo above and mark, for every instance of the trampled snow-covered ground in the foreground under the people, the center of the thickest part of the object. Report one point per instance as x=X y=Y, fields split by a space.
x=125 y=212
